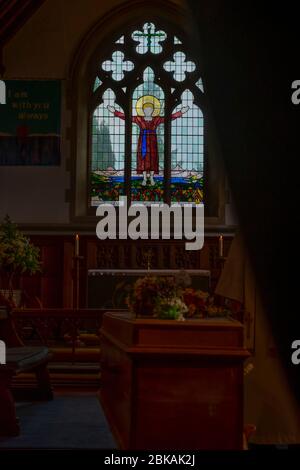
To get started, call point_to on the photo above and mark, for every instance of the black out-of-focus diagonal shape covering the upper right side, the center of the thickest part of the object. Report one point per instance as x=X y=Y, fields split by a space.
x=250 y=58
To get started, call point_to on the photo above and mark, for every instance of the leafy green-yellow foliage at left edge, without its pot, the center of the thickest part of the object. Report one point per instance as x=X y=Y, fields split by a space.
x=17 y=254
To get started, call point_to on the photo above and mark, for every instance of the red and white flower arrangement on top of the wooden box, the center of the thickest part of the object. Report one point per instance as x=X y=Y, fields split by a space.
x=168 y=298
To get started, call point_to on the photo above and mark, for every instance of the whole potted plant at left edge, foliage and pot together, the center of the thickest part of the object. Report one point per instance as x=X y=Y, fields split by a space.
x=17 y=256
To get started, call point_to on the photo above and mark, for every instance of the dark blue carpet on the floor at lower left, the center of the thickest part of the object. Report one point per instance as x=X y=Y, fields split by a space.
x=64 y=423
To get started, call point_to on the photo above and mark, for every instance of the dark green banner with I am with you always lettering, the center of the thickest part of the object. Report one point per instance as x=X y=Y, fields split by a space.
x=30 y=123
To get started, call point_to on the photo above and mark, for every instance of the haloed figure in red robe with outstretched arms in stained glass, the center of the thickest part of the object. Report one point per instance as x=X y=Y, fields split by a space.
x=148 y=119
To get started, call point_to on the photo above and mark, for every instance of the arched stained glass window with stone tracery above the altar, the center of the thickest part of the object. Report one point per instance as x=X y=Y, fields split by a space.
x=147 y=120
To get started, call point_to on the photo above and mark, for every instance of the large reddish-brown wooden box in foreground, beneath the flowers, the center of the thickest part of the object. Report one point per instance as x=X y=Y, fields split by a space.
x=173 y=385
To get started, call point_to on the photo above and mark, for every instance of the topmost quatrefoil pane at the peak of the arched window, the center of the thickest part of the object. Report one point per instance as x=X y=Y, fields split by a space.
x=149 y=39
